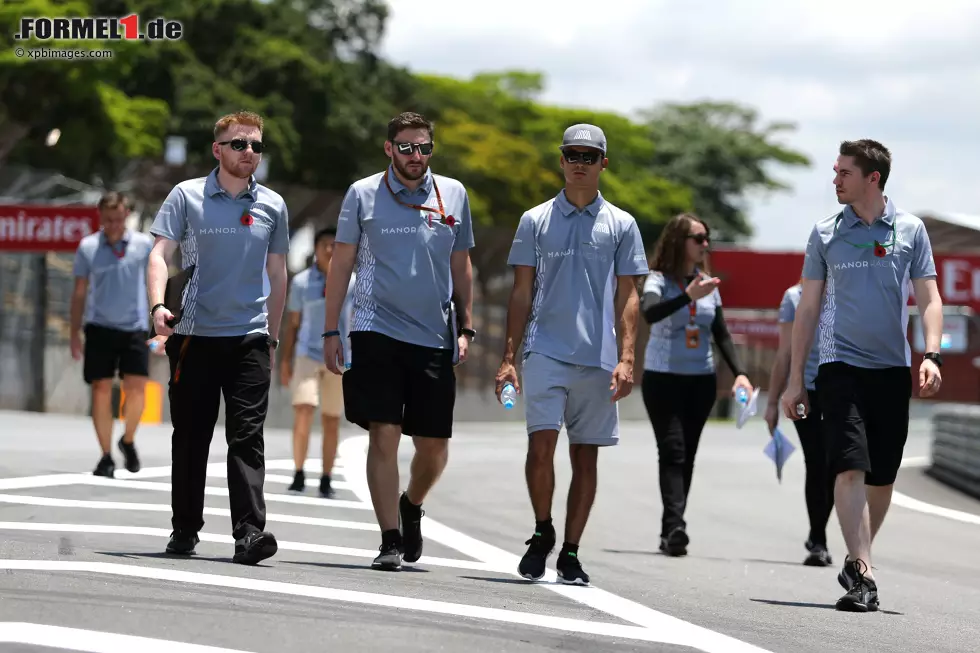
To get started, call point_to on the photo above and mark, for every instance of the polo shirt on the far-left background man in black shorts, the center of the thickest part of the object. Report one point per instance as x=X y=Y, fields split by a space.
x=117 y=280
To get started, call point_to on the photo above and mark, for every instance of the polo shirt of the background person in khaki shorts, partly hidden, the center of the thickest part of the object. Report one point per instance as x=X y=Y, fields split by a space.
x=307 y=297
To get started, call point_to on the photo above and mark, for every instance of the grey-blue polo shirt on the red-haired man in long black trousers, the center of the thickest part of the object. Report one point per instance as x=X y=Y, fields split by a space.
x=228 y=292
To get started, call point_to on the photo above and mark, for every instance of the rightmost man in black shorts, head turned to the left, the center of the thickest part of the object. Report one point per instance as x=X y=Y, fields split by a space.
x=867 y=256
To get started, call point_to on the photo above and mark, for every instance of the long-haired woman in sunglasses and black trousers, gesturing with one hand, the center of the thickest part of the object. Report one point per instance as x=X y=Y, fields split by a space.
x=683 y=306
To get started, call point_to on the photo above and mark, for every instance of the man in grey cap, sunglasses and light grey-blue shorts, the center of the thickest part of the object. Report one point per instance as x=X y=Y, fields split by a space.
x=577 y=261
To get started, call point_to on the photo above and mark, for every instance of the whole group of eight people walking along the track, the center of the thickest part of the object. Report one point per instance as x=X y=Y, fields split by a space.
x=374 y=329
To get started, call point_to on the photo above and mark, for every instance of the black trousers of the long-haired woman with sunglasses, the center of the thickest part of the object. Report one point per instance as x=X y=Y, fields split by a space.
x=678 y=406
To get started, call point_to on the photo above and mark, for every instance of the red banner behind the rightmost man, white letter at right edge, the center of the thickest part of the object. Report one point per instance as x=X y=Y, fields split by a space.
x=751 y=279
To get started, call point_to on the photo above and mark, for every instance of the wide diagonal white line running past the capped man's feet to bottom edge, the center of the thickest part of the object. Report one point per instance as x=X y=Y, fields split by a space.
x=665 y=628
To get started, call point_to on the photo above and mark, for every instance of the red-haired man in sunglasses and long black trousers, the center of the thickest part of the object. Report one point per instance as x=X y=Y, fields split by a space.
x=232 y=233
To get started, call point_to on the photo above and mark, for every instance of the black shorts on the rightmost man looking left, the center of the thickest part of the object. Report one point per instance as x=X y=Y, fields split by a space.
x=865 y=418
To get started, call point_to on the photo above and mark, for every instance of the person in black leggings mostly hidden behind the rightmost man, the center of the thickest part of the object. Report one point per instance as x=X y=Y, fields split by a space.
x=819 y=485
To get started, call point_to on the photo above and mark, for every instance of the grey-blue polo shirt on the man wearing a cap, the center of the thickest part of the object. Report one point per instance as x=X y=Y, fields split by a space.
x=577 y=256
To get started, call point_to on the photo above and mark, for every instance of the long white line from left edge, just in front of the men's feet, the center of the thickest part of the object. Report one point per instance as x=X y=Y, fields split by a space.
x=561 y=624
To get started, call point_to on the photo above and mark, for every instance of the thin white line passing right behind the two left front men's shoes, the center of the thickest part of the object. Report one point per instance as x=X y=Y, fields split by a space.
x=164 y=534
